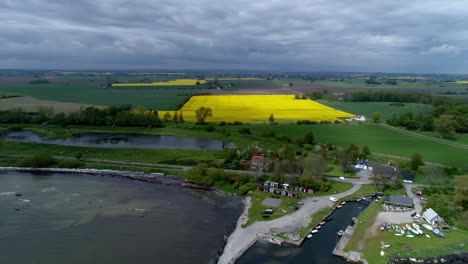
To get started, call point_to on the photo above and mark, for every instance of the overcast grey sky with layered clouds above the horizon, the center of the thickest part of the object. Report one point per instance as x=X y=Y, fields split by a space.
x=328 y=35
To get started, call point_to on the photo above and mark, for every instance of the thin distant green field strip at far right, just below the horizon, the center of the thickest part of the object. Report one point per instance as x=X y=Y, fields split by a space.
x=359 y=83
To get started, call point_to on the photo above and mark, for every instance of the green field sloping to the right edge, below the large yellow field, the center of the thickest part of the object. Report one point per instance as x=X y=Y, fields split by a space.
x=378 y=139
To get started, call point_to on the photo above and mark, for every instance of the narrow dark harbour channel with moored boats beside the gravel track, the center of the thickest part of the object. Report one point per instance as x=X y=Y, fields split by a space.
x=317 y=249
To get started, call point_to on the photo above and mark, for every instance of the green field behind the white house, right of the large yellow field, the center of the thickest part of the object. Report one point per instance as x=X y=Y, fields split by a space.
x=384 y=108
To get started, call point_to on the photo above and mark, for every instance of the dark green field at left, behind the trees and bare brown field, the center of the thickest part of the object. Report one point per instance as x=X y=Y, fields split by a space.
x=155 y=98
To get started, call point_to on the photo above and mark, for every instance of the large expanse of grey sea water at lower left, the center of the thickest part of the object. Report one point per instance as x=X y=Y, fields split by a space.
x=92 y=219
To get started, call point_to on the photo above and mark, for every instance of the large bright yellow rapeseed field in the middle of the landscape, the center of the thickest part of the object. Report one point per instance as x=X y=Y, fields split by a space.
x=258 y=108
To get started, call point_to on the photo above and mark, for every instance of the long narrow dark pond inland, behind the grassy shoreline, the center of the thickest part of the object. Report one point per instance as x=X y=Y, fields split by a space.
x=108 y=140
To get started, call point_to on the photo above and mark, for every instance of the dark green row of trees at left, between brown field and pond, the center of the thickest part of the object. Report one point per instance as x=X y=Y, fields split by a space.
x=119 y=116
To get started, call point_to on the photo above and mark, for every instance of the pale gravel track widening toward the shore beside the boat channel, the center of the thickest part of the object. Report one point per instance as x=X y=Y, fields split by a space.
x=242 y=238
